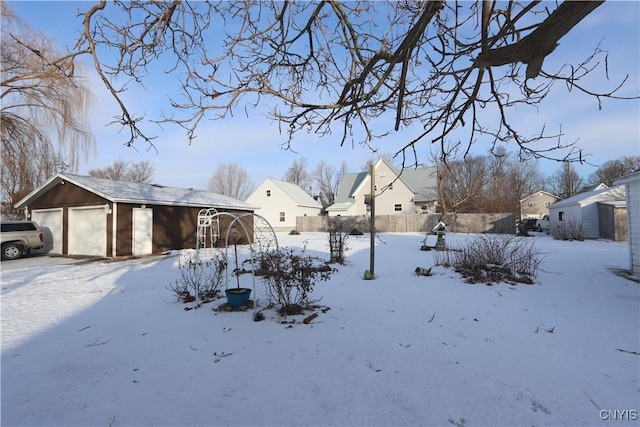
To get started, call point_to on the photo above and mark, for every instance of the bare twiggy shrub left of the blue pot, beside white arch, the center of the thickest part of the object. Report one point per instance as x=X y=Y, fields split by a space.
x=201 y=277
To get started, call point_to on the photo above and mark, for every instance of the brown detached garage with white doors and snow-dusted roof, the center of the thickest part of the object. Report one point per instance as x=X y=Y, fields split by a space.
x=83 y=215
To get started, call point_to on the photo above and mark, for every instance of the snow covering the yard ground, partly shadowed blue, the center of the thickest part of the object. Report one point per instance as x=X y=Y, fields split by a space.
x=106 y=344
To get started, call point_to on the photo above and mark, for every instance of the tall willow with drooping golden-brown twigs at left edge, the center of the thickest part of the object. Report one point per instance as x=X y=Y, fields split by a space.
x=42 y=119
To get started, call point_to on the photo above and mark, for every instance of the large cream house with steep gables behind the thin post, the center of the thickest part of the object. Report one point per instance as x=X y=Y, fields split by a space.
x=407 y=191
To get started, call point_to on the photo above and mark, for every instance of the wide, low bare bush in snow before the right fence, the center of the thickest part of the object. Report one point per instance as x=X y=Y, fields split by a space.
x=494 y=258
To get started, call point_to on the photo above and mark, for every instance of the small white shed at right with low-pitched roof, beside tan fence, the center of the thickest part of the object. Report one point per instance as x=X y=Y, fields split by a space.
x=581 y=211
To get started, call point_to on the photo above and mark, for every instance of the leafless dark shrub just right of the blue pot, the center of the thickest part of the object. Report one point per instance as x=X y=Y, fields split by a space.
x=290 y=278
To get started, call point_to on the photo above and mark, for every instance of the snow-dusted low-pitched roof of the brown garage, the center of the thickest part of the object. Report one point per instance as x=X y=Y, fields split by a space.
x=130 y=192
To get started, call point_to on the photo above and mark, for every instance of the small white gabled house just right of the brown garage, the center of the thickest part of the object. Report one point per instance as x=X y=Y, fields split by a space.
x=280 y=202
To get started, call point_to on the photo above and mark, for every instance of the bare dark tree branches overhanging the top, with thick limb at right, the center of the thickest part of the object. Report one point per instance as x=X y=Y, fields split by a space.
x=330 y=66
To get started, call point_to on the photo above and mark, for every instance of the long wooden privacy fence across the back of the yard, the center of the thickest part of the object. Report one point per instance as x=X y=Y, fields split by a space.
x=499 y=223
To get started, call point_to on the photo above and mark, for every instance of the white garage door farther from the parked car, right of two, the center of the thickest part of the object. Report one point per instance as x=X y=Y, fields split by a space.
x=88 y=231
